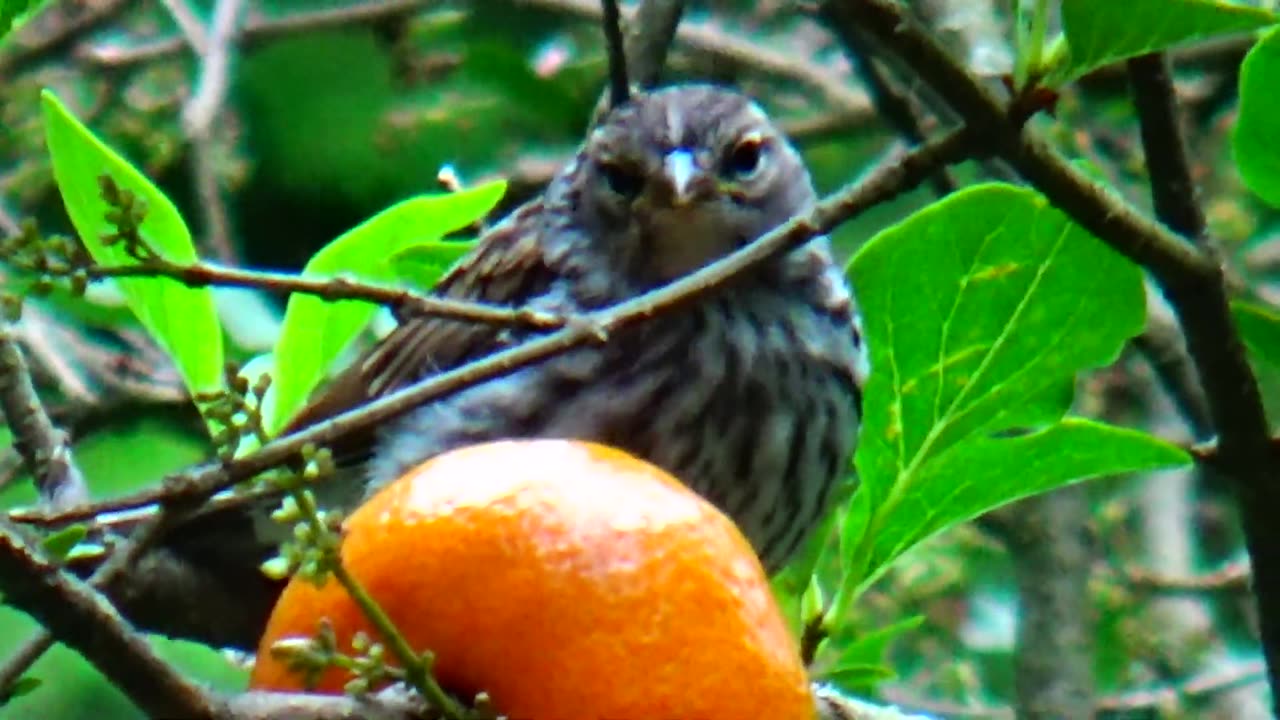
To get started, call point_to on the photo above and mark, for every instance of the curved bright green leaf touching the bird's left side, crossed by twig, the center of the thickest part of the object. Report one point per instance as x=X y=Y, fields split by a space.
x=316 y=332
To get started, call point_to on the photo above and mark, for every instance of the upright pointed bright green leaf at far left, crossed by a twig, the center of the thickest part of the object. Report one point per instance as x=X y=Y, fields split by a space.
x=182 y=320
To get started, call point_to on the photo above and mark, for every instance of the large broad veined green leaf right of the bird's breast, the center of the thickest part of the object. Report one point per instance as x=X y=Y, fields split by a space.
x=979 y=312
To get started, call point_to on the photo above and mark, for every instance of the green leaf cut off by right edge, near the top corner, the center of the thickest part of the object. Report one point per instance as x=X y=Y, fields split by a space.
x=1255 y=142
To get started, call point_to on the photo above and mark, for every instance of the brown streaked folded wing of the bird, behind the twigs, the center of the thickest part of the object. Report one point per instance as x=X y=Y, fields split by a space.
x=506 y=268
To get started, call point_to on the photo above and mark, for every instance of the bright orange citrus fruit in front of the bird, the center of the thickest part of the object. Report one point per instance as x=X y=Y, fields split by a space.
x=566 y=580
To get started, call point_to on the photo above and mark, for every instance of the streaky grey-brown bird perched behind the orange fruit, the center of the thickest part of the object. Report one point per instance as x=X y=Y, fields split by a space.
x=749 y=395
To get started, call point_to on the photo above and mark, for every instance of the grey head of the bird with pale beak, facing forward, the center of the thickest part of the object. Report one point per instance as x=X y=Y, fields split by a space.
x=683 y=176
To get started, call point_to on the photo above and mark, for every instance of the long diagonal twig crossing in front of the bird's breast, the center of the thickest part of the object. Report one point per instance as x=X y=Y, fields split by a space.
x=889 y=181
